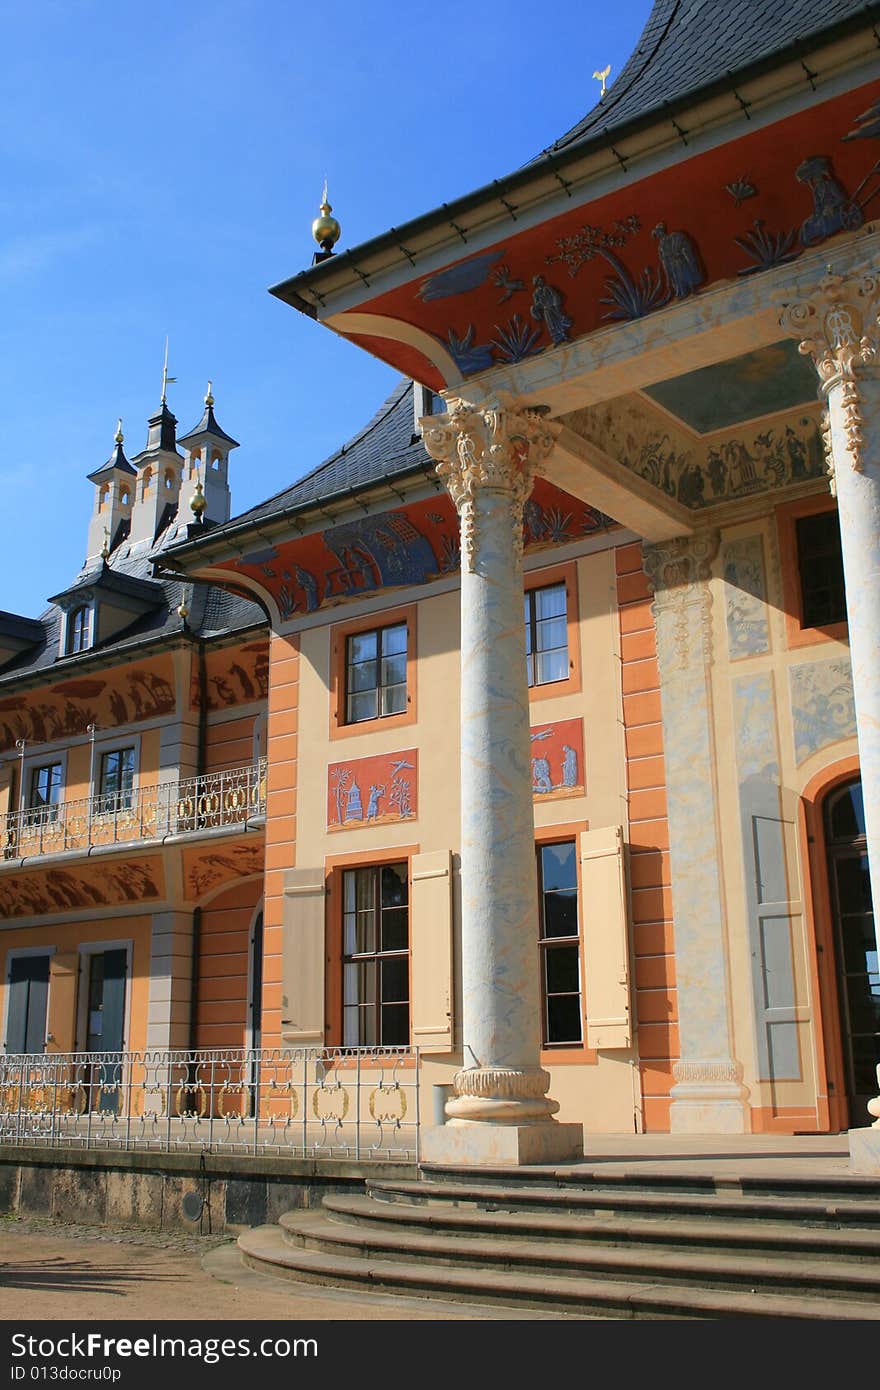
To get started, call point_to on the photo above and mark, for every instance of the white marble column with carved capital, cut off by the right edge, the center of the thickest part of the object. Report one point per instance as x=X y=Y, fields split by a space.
x=839 y=329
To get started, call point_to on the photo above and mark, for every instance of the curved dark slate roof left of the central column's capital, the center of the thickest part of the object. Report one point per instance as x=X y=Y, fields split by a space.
x=386 y=448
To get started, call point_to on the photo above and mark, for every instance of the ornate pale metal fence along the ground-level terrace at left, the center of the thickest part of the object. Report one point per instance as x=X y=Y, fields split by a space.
x=308 y=1103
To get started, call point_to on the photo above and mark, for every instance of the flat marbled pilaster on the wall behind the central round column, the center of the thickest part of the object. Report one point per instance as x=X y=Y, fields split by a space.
x=708 y=1096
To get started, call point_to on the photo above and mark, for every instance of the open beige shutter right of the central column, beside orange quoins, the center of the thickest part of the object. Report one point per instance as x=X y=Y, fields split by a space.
x=607 y=954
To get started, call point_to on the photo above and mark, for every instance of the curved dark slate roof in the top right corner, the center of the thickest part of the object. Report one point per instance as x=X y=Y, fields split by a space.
x=690 y=45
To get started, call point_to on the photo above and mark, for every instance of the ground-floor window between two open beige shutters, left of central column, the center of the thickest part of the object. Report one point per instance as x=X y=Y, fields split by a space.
x=376 y=997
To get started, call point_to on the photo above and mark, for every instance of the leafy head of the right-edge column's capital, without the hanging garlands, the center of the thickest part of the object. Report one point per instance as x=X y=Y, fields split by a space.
x=838 y=326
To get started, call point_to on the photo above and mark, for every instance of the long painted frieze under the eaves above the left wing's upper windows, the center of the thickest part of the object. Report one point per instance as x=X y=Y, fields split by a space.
x=67 y=708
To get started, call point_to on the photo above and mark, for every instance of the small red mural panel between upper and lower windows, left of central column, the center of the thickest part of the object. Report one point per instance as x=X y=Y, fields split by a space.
x=373 y=792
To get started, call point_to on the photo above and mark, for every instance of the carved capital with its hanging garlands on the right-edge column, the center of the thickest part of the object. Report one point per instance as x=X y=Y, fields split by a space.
x=839 y=327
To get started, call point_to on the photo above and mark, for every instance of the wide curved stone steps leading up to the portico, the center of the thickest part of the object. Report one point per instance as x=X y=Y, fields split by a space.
x=596 y=1245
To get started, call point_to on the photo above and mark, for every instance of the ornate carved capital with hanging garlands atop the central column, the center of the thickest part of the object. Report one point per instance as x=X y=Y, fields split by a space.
x=498 y=448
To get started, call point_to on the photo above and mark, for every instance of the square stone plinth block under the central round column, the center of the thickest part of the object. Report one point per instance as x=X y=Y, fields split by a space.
x=475 y=1145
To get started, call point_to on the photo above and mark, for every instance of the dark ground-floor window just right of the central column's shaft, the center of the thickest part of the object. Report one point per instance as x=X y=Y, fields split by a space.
x=560 y=946
